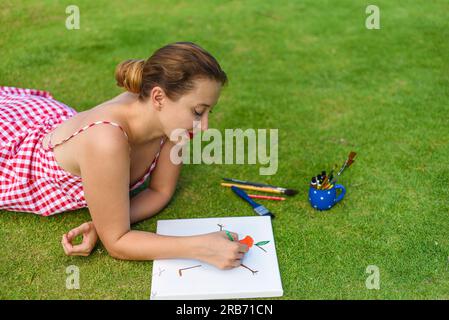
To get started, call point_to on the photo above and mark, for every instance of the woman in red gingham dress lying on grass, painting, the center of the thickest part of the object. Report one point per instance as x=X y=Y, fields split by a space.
x=53 y=159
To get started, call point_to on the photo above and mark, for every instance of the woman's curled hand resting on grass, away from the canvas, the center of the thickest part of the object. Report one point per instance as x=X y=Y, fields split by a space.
x=90 y=238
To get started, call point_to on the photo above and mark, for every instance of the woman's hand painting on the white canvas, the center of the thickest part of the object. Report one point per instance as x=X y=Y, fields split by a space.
x=218 y=250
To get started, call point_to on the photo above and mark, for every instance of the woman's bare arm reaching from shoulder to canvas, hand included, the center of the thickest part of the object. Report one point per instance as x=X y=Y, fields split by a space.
x=104 y=167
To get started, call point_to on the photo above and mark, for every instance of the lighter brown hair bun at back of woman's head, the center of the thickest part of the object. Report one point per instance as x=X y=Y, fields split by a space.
x=129 y=75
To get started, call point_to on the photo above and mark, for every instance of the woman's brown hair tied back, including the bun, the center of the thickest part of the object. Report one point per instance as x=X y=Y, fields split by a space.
x=173 y=68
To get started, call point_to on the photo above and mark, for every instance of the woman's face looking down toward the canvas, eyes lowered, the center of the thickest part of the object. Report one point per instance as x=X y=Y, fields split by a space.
x=191 y=111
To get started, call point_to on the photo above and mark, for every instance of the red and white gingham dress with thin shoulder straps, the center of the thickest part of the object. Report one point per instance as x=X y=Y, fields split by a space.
x=30 y=178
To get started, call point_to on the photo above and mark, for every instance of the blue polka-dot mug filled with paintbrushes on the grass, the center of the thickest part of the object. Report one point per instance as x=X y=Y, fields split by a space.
x=323 y=188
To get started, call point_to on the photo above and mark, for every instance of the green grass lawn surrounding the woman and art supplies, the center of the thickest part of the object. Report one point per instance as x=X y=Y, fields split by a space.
x=310 y=69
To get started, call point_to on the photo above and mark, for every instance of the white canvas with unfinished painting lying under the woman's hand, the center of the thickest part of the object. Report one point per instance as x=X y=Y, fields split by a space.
x=182 y=279
